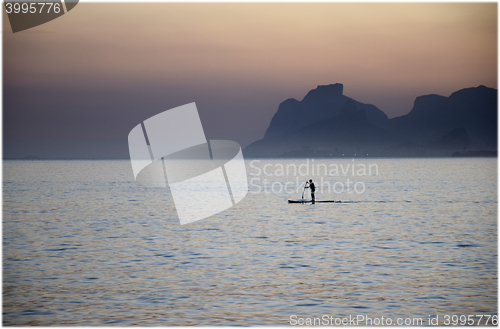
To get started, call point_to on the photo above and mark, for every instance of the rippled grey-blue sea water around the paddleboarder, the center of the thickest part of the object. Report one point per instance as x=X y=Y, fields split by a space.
x=83 y=244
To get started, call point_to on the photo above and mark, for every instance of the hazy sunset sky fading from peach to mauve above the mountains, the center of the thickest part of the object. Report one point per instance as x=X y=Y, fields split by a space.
x=94 y=73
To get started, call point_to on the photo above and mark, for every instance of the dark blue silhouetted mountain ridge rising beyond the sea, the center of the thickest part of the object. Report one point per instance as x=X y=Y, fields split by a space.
x=328 y=123
